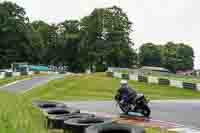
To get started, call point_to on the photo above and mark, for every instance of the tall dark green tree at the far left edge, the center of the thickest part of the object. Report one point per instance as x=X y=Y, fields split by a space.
x=13 y=37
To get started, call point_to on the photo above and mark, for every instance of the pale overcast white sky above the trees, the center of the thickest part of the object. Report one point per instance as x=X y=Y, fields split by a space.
x=155 y=21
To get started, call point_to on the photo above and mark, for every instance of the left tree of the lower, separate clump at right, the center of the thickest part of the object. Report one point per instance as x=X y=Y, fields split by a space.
x=150 y=55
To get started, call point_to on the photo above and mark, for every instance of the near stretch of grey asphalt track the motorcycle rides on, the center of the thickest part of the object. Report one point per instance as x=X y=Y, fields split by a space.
x=185 y=112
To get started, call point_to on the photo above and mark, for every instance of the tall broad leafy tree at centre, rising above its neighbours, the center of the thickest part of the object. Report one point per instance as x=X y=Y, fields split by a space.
x=107 y=38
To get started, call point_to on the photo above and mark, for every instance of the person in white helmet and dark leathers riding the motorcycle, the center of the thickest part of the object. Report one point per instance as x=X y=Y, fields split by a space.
x=125 y=92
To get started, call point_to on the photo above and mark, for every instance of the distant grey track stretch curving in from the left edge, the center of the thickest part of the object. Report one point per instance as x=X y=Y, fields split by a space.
x=25 y=85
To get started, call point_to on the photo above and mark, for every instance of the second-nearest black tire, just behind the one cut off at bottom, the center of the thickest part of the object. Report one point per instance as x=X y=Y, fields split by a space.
x=79 y=125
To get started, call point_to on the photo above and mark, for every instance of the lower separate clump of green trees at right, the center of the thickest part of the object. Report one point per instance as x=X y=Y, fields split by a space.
x=171 y=56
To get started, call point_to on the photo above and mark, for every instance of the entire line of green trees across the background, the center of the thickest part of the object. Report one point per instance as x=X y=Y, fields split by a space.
x=95 y=42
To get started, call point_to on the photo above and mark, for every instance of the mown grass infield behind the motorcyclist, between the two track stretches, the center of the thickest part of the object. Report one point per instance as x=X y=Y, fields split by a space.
x=100 y=87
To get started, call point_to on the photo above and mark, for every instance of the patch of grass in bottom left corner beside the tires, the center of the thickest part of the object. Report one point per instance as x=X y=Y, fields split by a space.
x=18 y=116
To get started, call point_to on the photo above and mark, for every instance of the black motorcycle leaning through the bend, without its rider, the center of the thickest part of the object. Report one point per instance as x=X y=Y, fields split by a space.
x=139 y=104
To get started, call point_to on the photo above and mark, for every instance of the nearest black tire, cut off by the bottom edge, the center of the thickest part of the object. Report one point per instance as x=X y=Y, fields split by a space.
x=114 y=128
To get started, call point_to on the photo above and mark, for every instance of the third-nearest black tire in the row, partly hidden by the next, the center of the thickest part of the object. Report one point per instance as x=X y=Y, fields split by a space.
x=57 y=122
